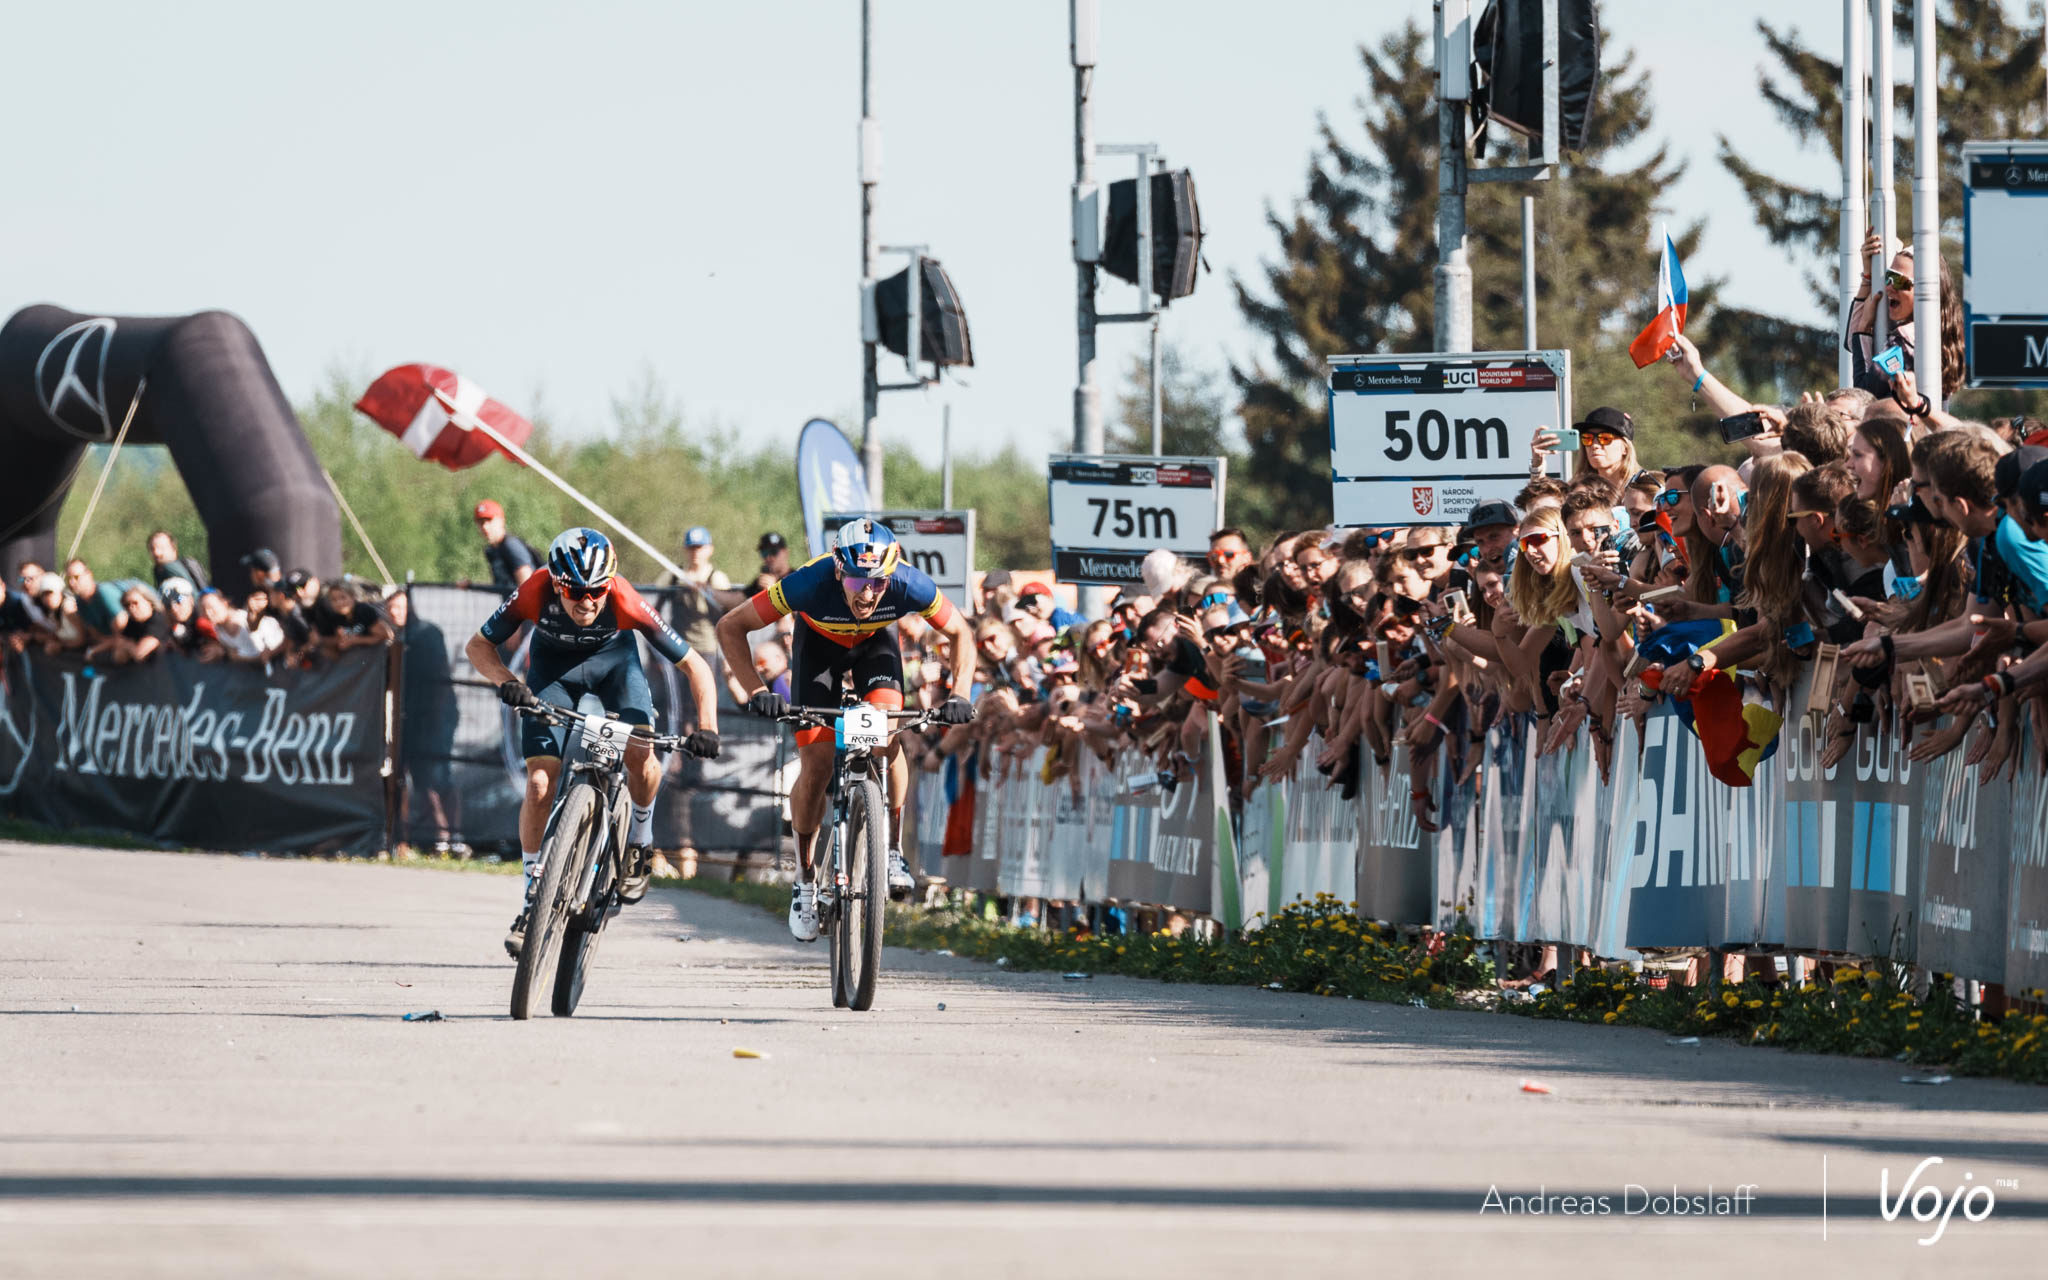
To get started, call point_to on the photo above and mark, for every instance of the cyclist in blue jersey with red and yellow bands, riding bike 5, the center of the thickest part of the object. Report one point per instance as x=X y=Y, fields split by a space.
x=849 y=603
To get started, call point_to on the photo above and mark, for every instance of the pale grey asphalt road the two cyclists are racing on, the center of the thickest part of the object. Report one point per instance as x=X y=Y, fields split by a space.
x=204 y=1072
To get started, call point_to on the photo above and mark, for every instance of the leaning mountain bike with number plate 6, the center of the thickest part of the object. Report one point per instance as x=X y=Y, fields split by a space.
x=583 y=857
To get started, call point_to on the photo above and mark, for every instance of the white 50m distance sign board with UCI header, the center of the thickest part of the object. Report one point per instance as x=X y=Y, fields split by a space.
x=1424 y=439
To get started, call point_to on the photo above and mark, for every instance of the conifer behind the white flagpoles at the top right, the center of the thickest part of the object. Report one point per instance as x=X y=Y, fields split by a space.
x=1992 y=87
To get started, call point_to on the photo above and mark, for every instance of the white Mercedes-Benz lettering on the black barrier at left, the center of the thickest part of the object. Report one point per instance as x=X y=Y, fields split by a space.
x=163 y=740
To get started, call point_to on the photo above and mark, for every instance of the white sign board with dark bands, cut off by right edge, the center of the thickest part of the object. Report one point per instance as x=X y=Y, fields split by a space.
x=2006 y=263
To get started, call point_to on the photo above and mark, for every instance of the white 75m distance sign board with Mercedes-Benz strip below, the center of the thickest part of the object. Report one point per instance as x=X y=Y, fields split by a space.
x=1109 y=511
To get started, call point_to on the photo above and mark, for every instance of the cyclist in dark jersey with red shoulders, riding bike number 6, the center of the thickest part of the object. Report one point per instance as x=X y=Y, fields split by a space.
x=585 y=617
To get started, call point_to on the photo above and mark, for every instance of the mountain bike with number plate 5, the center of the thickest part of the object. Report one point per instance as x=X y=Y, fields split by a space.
x=853 y=876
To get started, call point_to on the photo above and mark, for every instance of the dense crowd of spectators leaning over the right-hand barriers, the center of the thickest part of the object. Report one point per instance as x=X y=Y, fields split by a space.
x=1871 y=540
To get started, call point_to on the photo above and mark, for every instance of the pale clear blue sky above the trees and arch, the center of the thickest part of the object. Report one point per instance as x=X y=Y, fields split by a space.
x=564 y=200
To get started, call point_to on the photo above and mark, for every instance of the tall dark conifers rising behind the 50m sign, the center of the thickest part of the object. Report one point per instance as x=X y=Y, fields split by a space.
x=1359 y=255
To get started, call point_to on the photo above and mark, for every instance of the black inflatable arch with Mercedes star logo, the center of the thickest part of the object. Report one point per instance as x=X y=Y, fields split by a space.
x=69 y=380
